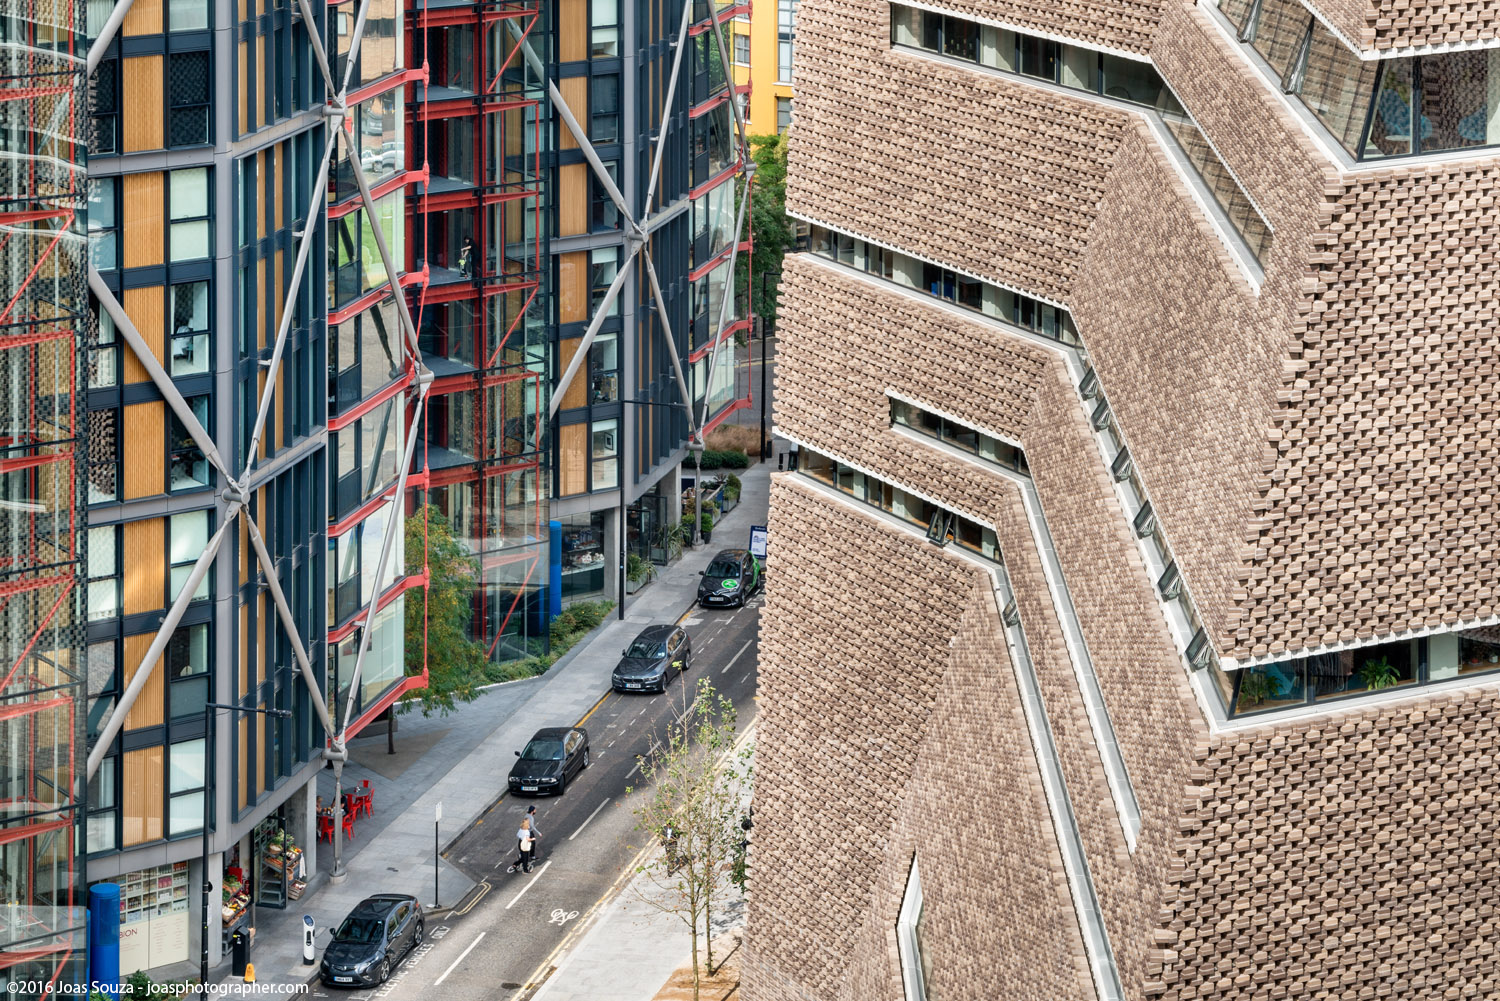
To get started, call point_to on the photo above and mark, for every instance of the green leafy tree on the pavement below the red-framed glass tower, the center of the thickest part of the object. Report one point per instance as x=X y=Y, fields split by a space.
x=455 y=663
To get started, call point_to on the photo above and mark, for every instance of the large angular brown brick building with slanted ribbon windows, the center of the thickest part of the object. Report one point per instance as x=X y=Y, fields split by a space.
x=1136 y=624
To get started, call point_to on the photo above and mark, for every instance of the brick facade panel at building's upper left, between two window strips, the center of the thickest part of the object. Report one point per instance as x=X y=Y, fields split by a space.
x=988 y=176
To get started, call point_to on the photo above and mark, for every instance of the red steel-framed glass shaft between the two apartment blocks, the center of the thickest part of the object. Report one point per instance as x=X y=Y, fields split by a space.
x=476 y=232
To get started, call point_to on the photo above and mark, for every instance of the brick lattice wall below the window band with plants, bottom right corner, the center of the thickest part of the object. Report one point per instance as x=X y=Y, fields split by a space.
x=1346 y=858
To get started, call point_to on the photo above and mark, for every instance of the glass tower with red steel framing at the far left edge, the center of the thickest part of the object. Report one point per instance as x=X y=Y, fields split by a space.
x=43 y=328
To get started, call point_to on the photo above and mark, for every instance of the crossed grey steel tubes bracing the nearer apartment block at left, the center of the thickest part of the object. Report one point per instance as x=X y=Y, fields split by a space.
x=236 y=494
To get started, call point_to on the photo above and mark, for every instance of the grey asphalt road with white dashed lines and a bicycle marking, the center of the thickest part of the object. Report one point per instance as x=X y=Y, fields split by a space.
x=503 y=940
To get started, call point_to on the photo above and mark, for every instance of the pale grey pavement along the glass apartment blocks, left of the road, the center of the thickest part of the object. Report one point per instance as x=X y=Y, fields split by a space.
x=463 y=760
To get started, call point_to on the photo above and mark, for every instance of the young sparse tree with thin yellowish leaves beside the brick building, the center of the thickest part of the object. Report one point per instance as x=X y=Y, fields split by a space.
x=691 y=804
